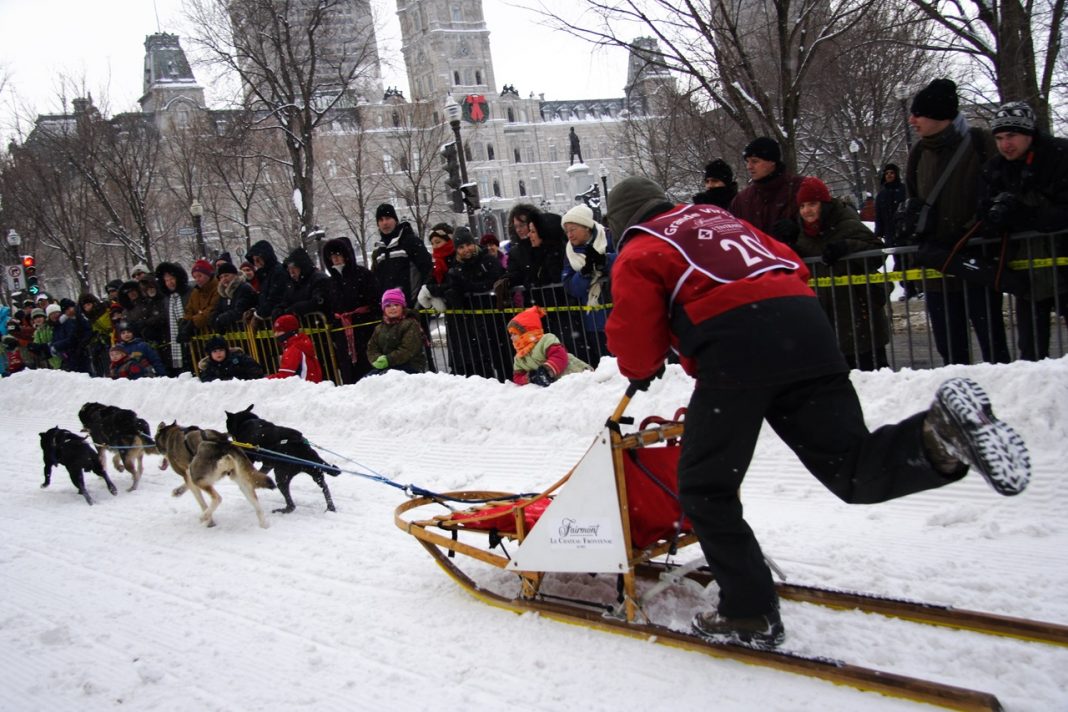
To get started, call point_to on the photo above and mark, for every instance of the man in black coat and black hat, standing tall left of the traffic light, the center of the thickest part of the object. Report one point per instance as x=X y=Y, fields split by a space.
x=400 y=260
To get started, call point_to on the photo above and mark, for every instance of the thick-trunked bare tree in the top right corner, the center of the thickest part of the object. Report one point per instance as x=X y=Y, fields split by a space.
x=1016 y=44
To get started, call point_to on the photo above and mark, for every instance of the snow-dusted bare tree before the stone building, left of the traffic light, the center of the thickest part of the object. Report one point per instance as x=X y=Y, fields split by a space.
x=297 y=61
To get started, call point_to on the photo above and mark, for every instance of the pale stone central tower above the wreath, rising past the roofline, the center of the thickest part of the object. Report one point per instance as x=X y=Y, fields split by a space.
x=446 y=48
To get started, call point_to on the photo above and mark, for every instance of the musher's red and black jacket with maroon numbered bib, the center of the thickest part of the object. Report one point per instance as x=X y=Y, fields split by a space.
x=665 y=300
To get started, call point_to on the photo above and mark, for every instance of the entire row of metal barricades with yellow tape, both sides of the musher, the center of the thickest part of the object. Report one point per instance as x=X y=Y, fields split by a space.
x=876 y=327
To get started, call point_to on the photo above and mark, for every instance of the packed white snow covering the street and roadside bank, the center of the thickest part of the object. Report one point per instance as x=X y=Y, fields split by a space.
x=133 y=605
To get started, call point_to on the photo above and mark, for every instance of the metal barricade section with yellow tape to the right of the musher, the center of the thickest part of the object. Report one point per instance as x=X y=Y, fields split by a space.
x=957 y=321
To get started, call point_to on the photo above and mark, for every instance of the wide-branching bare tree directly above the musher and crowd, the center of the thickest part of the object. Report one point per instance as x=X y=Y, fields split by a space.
x=751 y=59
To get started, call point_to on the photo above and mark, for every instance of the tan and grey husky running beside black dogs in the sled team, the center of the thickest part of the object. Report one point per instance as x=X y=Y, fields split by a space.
x=216 y=458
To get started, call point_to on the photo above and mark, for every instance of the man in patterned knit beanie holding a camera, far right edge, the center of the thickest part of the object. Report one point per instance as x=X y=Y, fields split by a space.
x=1027 y=185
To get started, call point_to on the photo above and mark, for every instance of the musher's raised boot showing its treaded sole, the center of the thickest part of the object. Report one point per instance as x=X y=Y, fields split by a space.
x=961 y=429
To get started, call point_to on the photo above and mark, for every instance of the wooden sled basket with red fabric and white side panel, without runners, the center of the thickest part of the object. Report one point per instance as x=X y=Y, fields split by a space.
x=617 y=509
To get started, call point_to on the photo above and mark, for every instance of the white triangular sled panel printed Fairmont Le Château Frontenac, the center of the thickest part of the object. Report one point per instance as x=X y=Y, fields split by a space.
x=582 y=530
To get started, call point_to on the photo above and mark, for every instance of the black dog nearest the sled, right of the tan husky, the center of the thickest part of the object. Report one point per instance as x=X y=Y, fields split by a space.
x=247 y=428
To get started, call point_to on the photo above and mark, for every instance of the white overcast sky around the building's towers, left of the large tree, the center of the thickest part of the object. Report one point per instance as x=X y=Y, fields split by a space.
x=104 y=43
